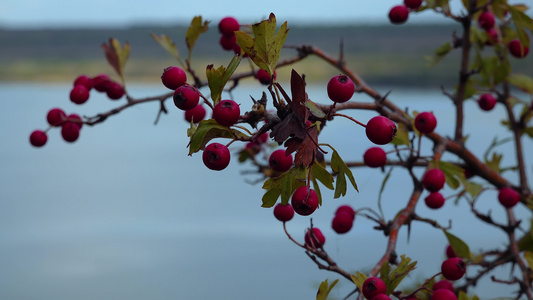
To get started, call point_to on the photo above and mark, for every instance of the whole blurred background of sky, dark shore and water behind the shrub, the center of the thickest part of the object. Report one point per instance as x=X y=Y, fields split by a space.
x=124 y=213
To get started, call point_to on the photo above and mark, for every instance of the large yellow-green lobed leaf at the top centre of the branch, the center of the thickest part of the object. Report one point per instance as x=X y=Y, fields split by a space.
x=265 y=47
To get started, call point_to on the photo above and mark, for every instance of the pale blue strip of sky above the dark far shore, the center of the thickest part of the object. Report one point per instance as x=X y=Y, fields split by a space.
x=60 y=13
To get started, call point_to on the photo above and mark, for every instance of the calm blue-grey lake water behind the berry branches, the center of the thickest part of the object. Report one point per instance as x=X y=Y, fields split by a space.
x=124 y=213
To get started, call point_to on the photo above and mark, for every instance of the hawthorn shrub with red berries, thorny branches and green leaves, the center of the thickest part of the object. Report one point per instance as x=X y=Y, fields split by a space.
x=495 y=35
